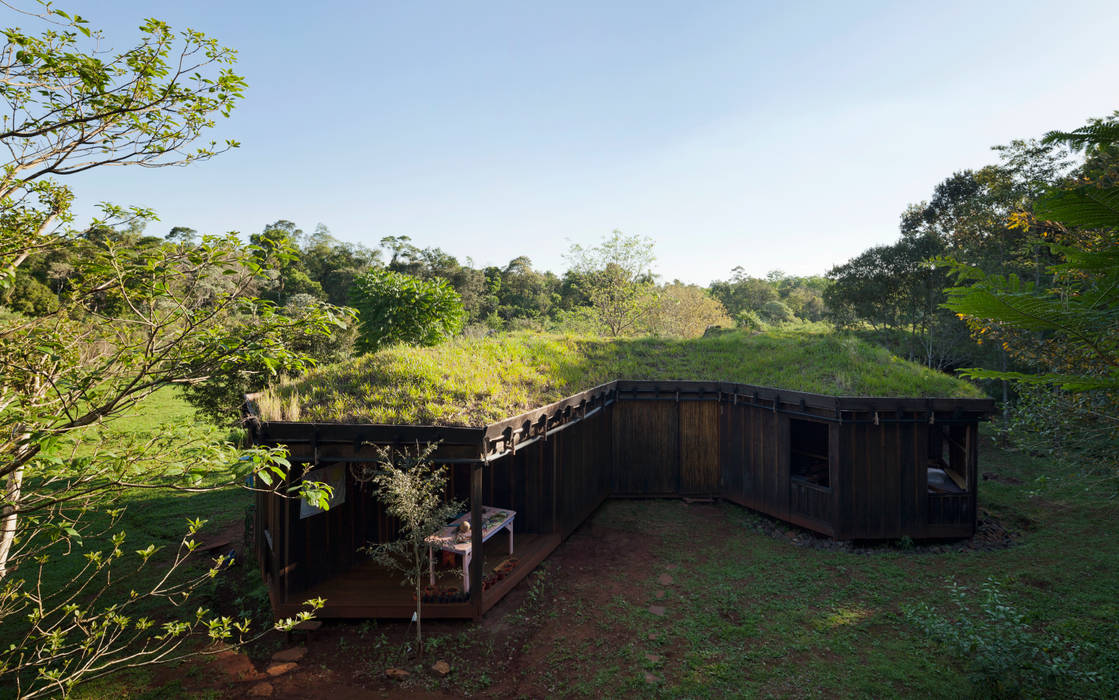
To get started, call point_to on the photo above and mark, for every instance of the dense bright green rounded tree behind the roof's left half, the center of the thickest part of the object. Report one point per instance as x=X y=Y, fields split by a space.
x=394 y=308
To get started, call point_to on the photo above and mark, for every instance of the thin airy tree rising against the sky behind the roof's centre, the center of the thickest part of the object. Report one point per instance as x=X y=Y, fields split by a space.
x=618 y=281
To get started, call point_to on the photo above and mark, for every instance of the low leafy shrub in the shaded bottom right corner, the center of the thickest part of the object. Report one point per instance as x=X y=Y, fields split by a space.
x=1003 y=656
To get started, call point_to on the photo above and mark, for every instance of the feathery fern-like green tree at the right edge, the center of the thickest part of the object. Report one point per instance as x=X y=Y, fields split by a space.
x=1068 y=333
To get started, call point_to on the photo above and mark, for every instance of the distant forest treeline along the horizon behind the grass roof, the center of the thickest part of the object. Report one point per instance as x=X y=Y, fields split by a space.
x=894 y=295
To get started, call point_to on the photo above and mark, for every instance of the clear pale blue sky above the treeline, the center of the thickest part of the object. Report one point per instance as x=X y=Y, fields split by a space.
x=770 y=136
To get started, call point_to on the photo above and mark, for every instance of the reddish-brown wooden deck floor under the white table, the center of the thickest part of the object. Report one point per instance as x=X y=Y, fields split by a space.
x=369 y=591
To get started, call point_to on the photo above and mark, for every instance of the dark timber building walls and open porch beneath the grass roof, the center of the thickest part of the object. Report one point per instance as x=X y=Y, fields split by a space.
x=851 y=468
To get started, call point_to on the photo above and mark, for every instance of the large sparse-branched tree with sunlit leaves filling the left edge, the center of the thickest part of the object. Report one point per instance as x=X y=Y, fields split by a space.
x=136 y=316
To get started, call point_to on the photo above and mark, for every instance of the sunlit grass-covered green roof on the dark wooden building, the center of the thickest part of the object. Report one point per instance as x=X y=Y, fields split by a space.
x=476 y=382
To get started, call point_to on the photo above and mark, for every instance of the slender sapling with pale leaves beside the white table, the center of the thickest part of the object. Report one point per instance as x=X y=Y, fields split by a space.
x=412 y=490
